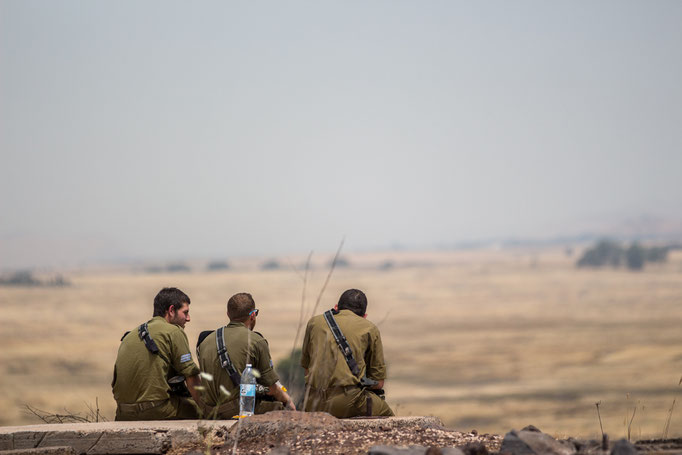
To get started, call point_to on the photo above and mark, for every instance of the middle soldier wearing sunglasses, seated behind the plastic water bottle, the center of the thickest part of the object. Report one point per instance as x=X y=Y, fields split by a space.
x=224 y=354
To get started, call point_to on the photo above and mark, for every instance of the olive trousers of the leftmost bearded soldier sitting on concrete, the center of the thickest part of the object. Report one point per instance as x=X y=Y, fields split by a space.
x=173 y=408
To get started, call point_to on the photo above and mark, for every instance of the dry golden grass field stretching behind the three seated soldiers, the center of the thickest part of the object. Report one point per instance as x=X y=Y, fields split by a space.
x=490 y=340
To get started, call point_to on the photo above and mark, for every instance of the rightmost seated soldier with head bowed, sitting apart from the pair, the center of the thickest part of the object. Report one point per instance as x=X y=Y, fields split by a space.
x=344 y=385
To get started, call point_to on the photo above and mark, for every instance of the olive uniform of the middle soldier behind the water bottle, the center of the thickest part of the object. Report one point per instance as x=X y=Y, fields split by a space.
x=238 y=338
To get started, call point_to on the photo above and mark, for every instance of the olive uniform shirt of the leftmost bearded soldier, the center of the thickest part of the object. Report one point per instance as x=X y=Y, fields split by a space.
x=140 y=375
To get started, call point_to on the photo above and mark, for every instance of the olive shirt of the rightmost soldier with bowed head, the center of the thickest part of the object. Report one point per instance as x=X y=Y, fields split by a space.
x=322 y=356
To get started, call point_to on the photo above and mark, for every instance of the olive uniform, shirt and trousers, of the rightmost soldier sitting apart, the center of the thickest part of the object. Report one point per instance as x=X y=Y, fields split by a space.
x=331 y=387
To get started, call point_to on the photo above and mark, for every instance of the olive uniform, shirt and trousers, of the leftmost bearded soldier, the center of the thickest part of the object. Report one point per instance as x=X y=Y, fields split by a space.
x=140 y=382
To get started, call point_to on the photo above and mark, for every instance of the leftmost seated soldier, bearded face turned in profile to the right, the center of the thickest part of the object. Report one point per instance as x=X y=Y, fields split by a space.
x=149 y=356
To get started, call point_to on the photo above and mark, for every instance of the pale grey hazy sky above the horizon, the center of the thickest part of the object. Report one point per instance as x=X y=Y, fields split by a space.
x=211 y=129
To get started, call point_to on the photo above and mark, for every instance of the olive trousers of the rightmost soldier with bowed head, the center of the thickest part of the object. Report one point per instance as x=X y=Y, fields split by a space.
x=345 y=402
